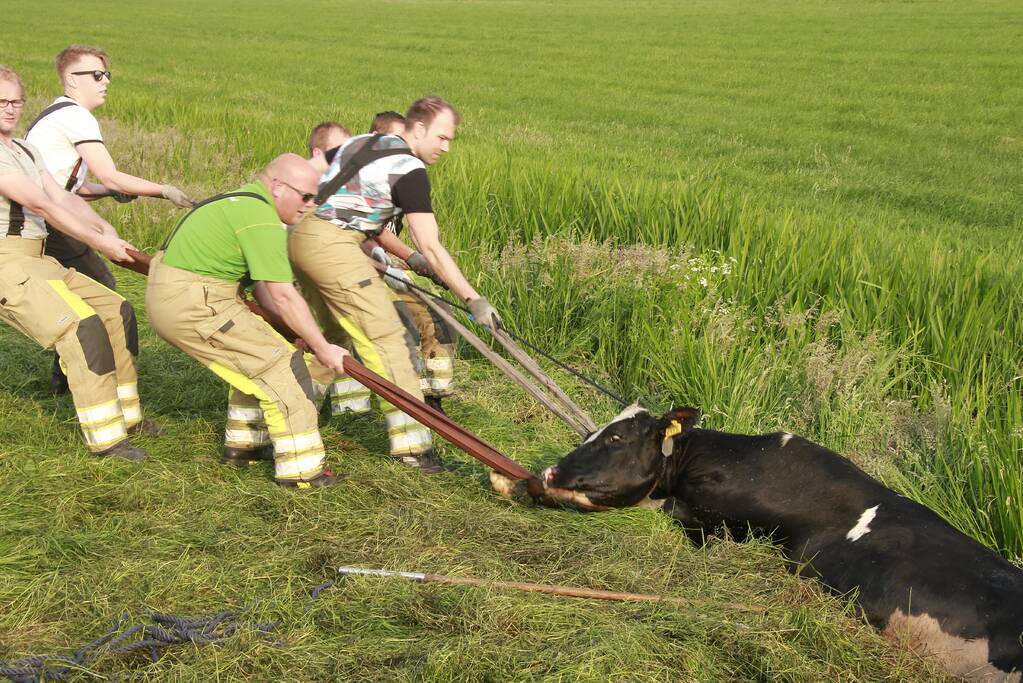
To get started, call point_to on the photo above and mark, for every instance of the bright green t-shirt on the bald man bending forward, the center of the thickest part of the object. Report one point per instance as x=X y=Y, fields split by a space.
x=234 y=239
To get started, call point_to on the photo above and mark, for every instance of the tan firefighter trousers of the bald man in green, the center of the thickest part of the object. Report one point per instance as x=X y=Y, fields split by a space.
x=272 y=398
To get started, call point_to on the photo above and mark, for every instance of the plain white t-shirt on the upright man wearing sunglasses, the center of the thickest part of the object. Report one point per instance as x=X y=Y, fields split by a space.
x=58 y=135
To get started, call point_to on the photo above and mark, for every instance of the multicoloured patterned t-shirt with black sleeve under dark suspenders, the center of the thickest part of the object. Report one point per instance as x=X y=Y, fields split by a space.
x=381 y=192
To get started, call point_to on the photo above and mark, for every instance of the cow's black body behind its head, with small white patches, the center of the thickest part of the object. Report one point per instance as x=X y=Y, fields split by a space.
x=919 y=579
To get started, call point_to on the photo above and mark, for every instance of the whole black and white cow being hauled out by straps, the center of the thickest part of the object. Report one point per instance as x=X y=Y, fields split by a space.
x=919 y=579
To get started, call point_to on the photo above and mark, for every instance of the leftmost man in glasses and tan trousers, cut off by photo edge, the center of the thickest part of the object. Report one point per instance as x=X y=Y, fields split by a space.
x=60 y=308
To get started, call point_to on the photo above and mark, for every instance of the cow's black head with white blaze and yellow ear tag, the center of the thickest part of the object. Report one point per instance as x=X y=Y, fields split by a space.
x=619 y=465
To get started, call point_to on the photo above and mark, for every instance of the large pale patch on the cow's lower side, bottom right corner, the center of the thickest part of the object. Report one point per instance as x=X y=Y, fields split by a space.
x=960 y=657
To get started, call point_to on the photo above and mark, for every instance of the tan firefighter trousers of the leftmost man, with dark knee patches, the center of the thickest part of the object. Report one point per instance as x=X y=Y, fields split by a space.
x=93 y=329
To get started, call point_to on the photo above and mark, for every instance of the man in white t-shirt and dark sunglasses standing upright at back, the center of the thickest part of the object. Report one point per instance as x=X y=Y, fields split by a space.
x=68 y=136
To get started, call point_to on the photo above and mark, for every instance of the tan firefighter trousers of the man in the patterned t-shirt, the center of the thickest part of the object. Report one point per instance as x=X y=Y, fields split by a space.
x=330 y=261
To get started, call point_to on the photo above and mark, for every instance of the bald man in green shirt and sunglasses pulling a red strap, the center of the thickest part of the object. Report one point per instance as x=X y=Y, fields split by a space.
x=195 y=303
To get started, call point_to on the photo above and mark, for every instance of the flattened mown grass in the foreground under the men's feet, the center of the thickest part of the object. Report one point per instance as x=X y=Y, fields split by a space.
x=86 y=540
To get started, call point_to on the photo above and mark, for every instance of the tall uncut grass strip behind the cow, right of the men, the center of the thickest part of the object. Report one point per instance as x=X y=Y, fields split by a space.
x=730 y=306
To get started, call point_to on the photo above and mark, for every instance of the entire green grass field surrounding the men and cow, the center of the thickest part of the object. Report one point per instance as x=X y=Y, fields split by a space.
x=797 y=216
